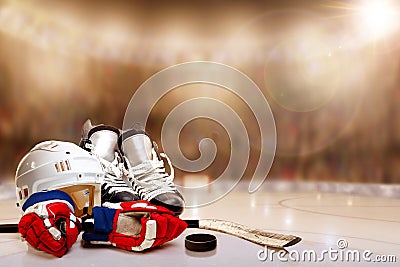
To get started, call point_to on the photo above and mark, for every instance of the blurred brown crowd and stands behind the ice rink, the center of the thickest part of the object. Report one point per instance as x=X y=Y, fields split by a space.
x=330 y=77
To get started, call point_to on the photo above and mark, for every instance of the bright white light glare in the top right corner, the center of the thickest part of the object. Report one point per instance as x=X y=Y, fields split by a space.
x=379 y=18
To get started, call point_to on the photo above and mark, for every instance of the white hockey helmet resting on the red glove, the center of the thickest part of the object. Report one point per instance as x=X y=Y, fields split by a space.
x=60 y=165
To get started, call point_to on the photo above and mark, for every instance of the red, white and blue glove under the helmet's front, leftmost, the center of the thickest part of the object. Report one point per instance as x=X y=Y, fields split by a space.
x=50 y=225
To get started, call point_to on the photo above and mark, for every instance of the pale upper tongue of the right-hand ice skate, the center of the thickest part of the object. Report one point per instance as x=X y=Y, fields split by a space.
x=137 y=148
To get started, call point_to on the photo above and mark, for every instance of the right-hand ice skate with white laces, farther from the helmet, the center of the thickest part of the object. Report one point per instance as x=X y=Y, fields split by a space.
x=147 y=173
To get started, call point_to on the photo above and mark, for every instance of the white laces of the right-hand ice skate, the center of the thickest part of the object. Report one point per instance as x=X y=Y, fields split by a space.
x=151 y=175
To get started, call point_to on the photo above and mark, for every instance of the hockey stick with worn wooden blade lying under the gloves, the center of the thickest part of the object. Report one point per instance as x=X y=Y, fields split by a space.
x=257 y=236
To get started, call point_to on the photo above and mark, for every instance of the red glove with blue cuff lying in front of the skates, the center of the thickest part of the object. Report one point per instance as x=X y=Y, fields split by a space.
x=133 y=226
